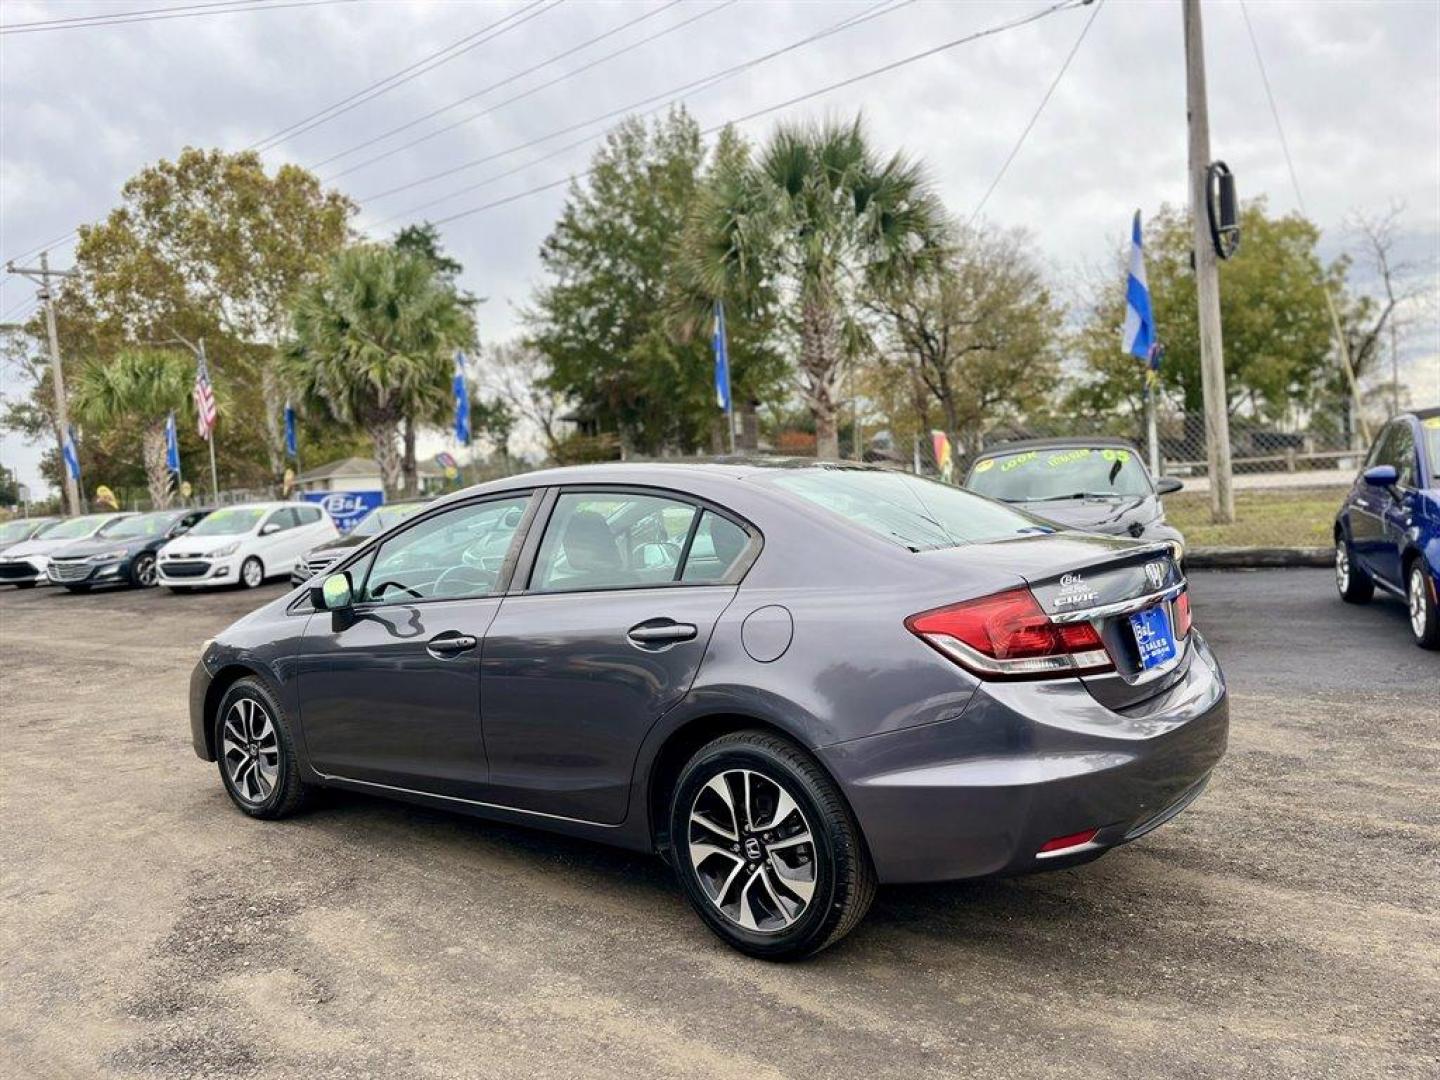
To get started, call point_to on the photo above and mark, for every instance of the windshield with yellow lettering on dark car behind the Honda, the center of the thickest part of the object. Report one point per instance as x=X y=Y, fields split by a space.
x=1061 y=473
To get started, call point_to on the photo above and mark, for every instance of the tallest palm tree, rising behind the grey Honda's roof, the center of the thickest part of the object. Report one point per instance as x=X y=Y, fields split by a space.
x=822 y=218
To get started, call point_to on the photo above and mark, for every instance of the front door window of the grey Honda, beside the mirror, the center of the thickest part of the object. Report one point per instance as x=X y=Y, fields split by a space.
x=457 y=555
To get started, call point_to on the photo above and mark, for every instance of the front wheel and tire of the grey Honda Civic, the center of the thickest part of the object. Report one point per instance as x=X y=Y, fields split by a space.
x=256 y=752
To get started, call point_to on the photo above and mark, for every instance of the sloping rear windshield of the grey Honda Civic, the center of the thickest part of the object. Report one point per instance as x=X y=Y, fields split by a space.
x=917 y=513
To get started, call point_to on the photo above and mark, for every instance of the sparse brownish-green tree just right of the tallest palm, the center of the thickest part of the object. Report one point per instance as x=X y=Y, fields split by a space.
x=978 y=338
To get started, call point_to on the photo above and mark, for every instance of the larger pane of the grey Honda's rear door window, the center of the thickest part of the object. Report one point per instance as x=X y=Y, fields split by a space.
x=613 y=541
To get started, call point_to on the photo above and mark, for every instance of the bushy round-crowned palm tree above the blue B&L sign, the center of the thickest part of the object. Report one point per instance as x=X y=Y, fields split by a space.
x=374 y=343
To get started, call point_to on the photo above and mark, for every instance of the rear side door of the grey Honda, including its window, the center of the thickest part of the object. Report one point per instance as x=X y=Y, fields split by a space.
x=606 y=636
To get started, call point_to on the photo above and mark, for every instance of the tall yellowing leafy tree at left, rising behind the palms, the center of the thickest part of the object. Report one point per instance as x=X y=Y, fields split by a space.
x=211 y=246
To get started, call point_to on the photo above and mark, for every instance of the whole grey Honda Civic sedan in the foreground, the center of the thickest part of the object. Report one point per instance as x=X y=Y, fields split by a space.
x=794 y=682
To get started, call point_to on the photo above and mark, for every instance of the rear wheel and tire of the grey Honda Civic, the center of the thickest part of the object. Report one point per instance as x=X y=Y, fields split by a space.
x=767 y=850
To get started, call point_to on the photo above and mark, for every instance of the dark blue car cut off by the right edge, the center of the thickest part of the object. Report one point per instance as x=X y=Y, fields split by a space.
x=1387 y=534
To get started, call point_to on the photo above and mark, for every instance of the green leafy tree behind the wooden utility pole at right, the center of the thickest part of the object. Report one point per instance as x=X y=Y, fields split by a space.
x=1272 y=306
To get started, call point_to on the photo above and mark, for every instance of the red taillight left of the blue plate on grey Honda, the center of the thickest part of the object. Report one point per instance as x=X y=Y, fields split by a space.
x=1010 y=636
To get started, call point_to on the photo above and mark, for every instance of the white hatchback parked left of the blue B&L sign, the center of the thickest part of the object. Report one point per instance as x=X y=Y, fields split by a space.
x=244 y=545
